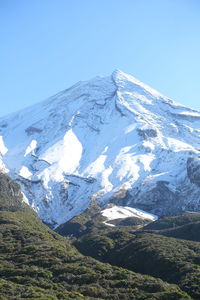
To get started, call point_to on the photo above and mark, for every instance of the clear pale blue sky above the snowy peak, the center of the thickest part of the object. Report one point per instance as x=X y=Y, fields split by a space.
x=48 y=45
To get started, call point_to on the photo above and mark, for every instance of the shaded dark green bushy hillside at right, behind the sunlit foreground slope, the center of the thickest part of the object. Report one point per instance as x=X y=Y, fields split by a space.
x=147 y=251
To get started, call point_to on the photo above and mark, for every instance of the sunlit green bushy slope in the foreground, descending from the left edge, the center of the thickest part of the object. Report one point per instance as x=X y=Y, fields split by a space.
x=37 y=263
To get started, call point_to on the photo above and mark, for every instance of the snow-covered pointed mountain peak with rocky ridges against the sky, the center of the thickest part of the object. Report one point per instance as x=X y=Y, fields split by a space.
x=110 y=139
